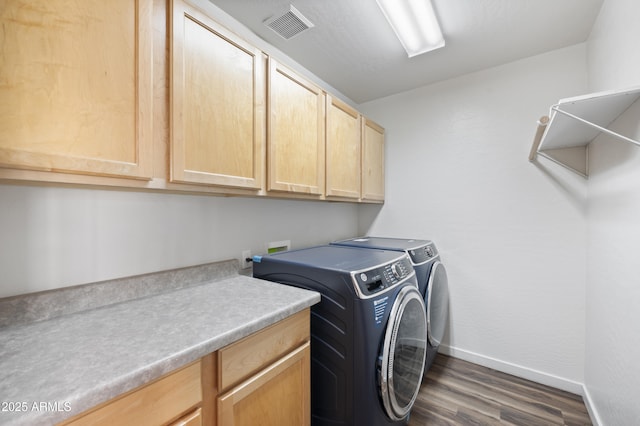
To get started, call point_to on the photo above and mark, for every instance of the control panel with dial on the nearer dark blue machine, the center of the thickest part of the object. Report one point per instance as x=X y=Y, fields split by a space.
x=372 y=281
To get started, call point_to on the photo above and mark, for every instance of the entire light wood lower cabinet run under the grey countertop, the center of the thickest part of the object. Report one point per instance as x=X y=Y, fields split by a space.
x=262 y=379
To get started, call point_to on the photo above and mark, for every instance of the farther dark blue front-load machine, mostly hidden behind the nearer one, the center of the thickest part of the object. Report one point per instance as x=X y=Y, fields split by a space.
x=432 y=280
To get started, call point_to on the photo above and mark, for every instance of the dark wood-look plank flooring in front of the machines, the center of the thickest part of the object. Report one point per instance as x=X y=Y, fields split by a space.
x=456 y=392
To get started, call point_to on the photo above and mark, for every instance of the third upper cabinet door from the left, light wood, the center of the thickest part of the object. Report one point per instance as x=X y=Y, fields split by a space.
x=295 y=133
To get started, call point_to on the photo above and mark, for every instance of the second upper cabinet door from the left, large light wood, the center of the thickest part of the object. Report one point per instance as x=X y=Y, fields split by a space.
x=218 y=94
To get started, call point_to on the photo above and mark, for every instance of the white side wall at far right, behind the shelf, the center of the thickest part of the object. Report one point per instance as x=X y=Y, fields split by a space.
x=612 y=370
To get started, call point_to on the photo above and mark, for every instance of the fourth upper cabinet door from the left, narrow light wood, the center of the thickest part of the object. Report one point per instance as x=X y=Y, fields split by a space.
x=343 y=150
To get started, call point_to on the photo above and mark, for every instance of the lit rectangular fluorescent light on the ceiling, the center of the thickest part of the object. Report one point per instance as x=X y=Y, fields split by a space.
x=415 y=24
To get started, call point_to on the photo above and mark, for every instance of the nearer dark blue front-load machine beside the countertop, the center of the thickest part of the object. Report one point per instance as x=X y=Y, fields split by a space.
x=368 y=333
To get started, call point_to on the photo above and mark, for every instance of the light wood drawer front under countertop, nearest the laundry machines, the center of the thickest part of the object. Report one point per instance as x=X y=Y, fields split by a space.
x=251 y=354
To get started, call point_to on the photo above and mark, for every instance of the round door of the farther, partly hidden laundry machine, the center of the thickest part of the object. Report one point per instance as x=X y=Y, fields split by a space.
x=437 y=300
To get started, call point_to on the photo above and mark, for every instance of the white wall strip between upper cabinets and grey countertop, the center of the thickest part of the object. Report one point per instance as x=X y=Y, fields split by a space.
x=56 y=237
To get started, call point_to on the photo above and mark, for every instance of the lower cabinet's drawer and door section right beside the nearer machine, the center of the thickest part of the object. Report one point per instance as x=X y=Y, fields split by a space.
x=265 y=378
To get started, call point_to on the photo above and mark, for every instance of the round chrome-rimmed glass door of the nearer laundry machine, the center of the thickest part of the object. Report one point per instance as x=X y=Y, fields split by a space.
x=404 y=352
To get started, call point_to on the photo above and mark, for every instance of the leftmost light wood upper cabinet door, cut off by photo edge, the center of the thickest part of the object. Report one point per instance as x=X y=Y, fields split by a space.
x=76 y=91
